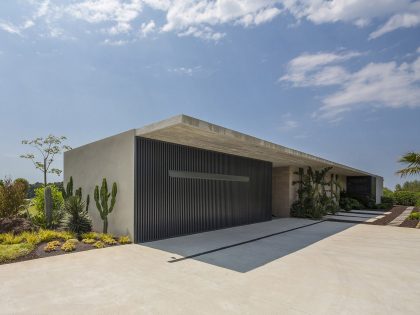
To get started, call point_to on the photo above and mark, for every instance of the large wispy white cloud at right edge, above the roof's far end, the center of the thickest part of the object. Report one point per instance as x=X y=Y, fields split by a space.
x=376 y=84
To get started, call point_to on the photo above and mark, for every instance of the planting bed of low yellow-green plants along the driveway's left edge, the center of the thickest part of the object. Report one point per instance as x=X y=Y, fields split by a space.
x=46 y=243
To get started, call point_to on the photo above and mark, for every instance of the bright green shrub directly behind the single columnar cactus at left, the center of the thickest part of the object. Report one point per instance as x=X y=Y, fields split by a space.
x=57 y=213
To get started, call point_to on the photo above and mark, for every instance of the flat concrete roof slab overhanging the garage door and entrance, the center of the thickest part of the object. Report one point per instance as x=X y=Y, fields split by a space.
x=197 y=133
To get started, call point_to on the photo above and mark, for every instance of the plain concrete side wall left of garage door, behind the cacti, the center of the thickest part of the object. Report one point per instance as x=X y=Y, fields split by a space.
x=112 y=158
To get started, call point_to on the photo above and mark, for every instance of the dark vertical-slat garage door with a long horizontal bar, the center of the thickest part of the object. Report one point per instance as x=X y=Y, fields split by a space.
x=184 y=190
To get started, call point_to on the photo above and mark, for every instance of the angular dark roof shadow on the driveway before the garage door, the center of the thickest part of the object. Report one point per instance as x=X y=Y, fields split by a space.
x=245 y=248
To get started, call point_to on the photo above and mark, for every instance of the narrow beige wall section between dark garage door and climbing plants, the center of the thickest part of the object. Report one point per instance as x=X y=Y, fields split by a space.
x=281 y=191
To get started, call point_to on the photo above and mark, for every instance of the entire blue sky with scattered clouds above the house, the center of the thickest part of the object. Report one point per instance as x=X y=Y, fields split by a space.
x=339 y=79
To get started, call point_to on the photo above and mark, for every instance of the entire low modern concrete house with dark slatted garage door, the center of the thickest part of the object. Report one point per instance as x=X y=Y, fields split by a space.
x=184 y=175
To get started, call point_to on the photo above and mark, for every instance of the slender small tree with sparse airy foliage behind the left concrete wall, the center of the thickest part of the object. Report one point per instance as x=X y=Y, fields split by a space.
x=47 y=148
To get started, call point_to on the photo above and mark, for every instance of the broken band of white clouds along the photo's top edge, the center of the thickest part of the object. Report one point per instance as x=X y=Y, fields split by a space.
x=204 y=18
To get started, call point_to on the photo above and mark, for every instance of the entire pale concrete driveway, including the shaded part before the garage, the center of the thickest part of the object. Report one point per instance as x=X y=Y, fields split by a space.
x=323 y=268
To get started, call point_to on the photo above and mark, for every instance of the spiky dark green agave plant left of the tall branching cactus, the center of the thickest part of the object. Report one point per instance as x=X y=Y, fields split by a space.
x=76 y=219
